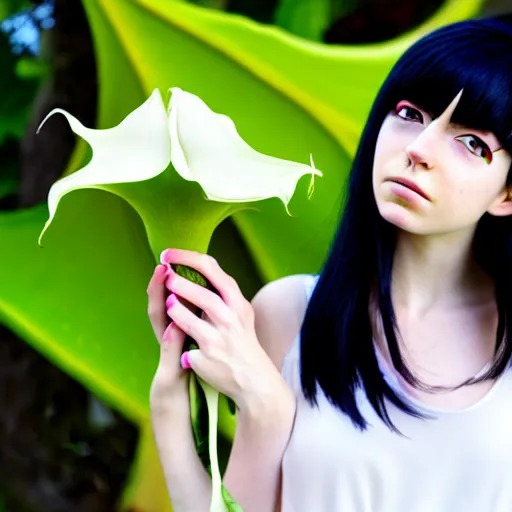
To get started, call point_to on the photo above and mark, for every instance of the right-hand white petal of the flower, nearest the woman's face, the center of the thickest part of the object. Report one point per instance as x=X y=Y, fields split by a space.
x=206 y=148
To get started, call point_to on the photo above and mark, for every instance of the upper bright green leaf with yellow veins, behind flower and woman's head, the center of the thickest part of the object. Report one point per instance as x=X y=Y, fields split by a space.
x=288 y=97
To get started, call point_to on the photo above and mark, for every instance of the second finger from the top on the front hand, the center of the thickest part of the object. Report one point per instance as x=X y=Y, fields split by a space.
x=195 y=294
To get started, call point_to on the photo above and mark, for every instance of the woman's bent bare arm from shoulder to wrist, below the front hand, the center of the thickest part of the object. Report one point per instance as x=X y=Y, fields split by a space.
x=264 y=424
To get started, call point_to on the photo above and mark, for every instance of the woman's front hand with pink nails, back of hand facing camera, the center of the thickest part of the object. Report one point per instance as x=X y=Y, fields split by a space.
x=229 y=357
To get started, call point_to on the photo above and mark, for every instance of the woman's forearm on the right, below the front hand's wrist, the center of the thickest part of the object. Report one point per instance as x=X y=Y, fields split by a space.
x=263 y=429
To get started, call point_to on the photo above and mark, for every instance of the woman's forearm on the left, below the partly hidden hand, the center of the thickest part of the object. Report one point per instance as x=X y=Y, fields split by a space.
x=188 y=482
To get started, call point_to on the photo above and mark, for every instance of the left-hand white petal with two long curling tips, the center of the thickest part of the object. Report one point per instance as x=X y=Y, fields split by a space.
x=135 y=150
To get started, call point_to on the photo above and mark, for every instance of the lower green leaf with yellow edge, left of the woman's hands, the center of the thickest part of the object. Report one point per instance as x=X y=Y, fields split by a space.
x=83 y=305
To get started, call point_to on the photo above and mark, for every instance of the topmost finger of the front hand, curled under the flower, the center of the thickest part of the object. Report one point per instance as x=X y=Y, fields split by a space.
x=211 y=270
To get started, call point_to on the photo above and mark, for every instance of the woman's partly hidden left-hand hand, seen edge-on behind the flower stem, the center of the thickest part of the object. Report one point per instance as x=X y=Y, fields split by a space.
x=169 y=387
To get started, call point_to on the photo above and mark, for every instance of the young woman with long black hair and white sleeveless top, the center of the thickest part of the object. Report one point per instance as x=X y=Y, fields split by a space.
x=383 y=384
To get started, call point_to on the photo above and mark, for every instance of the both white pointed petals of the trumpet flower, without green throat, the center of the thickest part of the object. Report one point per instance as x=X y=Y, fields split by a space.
x=203 y=146
